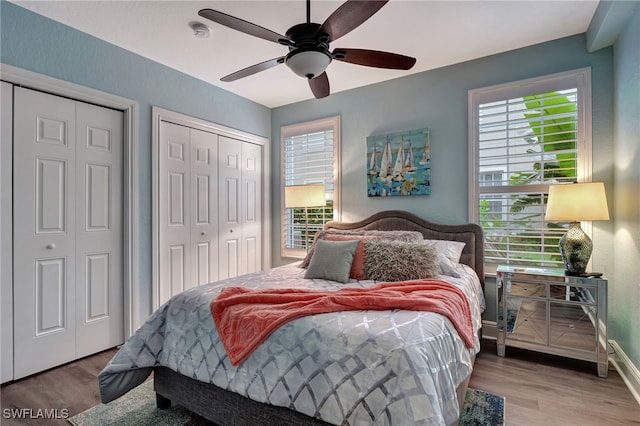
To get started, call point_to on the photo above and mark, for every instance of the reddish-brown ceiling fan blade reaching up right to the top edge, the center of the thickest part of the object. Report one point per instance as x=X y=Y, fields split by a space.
x=349 y=16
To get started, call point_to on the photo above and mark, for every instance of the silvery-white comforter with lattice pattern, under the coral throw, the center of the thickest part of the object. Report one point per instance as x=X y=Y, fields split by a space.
x=357 y=368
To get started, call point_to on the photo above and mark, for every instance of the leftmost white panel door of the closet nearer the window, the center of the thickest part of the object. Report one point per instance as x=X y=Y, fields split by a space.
x=174 y=206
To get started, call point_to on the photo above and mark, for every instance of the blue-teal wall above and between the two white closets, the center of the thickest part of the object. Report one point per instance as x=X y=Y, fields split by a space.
x=44 y=46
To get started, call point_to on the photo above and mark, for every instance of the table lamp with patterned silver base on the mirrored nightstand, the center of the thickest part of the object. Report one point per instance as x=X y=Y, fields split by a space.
x=573 y=203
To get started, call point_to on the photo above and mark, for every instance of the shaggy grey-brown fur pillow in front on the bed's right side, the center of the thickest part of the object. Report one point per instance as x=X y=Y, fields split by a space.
x=399 y=261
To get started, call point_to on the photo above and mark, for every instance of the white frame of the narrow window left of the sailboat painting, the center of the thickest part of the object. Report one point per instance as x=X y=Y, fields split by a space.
x=330 y=123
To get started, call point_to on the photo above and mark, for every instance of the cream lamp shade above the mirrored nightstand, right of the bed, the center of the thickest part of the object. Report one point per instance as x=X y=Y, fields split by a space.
x=577 y=202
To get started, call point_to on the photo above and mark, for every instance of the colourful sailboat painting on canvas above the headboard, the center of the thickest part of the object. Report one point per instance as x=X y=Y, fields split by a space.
x=399 y=164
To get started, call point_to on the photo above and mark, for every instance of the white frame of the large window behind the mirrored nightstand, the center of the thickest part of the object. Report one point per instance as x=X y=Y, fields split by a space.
x=580 y=79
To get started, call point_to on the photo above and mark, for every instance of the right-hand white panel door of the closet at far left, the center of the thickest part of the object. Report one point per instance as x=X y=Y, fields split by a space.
x=99 y=215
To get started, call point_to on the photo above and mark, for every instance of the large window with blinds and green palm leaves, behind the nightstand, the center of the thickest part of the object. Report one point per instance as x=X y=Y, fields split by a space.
x=526 y=136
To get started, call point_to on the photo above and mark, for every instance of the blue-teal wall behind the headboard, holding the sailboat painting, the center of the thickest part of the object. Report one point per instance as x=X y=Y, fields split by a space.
x=437 y=99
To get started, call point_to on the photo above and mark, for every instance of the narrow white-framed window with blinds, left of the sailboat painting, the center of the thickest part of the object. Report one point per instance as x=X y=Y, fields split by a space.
x=310 y=155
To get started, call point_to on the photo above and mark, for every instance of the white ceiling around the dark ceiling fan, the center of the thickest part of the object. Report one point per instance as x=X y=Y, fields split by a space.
x=437 y=33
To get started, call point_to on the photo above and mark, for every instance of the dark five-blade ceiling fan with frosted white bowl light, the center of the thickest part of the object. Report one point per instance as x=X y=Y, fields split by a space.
x=308 y=44
